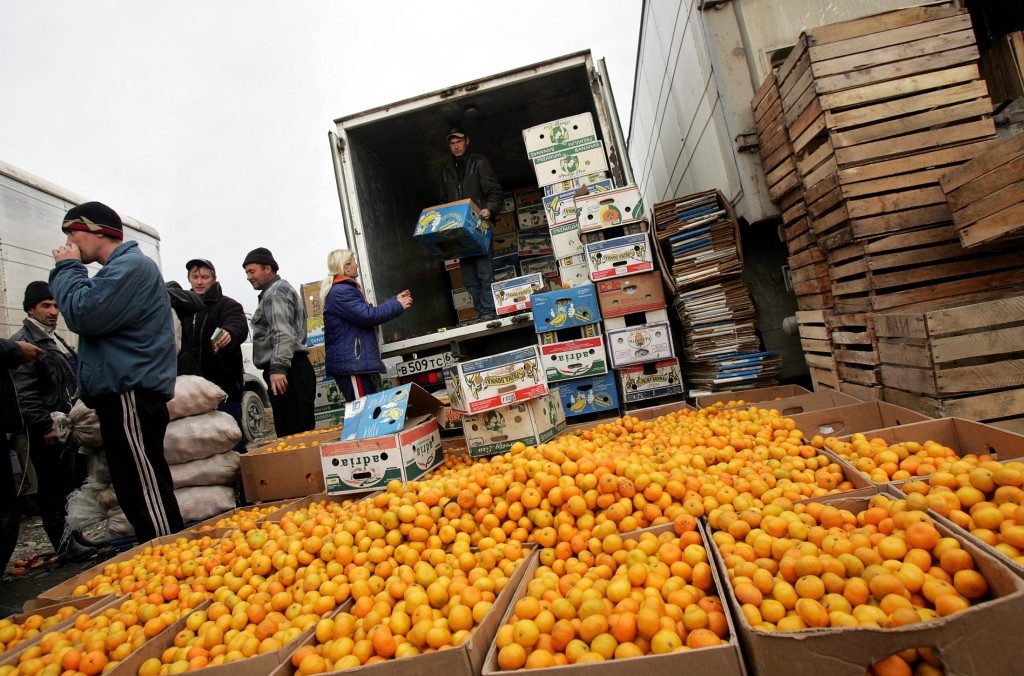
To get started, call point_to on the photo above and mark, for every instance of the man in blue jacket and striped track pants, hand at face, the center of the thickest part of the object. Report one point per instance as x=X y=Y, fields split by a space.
x=127 y=361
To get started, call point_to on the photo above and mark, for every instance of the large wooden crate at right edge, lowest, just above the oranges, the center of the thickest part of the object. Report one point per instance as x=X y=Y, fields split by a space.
x=963 y=360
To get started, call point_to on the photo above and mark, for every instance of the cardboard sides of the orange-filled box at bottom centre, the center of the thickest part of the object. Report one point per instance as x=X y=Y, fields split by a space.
x=719 y=660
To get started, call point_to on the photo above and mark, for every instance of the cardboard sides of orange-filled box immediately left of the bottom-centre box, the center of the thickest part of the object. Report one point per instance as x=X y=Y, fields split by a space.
x=466 y=660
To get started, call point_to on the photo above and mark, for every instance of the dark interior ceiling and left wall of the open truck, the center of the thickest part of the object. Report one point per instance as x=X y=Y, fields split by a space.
x=397 y=160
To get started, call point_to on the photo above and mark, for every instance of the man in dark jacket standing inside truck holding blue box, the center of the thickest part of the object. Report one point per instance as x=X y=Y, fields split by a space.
x=470 y=177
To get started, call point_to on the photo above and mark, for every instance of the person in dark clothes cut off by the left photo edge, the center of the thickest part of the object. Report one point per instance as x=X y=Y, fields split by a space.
x=13 y=355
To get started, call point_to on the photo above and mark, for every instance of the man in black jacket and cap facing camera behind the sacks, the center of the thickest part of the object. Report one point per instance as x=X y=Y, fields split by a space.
x=217 y=359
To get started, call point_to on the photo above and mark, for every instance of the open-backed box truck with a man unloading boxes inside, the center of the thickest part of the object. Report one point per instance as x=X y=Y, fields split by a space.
x=388 y=161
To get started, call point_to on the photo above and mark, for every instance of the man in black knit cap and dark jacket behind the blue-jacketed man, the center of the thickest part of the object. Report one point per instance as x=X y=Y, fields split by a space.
x=45 y=387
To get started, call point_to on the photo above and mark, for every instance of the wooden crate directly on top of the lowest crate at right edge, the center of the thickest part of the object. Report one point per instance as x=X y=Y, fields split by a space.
x=921 y=267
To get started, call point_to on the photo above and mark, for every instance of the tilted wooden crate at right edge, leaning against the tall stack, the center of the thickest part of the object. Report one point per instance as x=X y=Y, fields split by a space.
x=987 y=195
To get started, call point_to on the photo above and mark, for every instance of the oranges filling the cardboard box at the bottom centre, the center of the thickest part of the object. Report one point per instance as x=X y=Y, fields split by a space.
x=644 y=596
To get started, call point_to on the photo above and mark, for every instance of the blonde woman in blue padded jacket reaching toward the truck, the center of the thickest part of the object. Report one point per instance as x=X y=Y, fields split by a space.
x=351 y=326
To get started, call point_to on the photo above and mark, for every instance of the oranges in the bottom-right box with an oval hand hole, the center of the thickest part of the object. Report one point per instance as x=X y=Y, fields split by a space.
x=819 y=566
